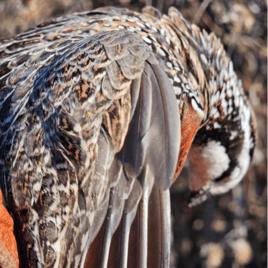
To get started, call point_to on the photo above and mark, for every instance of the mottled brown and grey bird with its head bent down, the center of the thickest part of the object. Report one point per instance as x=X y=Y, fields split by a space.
x=99 y=111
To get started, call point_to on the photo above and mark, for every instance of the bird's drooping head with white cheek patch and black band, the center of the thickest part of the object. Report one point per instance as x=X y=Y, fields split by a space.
x=222 y=150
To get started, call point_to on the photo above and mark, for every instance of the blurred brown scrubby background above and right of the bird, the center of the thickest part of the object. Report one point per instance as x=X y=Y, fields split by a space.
x=229 y=230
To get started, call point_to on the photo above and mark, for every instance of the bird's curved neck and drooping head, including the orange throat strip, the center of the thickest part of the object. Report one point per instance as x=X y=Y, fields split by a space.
x=217 y=123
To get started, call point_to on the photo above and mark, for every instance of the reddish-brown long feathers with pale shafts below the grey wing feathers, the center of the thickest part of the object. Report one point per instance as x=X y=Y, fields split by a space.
x=142 y=238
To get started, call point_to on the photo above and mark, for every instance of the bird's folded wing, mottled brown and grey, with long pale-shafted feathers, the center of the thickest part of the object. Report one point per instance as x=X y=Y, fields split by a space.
x=90 y=134
